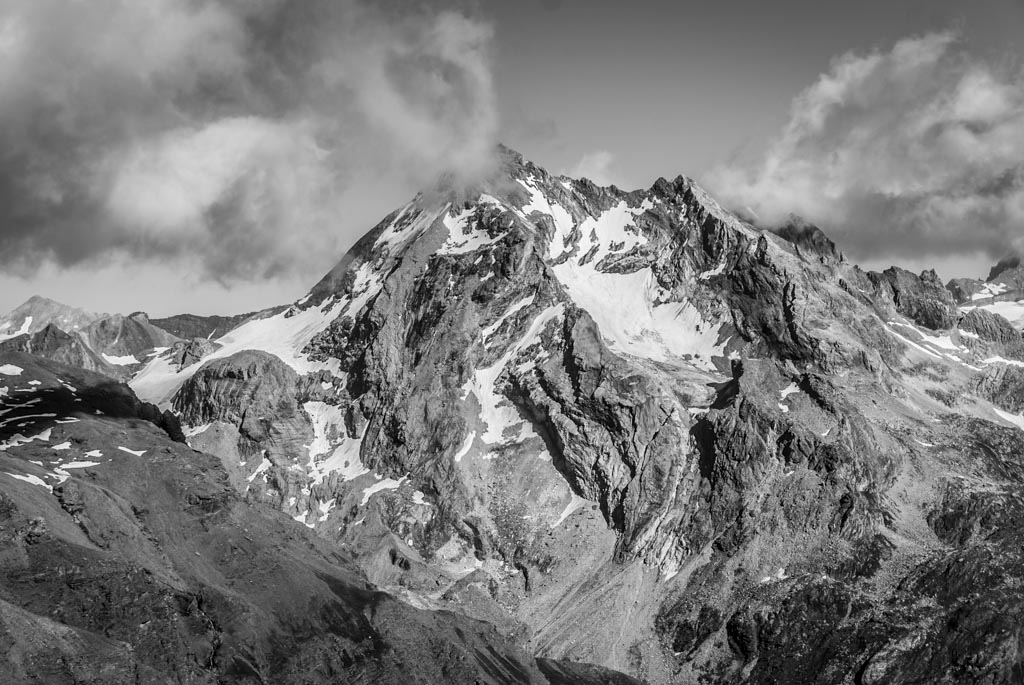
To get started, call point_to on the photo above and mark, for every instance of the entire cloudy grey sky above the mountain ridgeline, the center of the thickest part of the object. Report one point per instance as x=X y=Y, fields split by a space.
x=220 y=156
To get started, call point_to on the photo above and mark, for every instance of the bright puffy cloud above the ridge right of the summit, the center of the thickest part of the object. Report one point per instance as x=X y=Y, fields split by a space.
x=907 y=153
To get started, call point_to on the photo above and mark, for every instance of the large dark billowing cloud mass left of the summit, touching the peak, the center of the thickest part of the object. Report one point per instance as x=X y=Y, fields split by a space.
x=235 y=133
